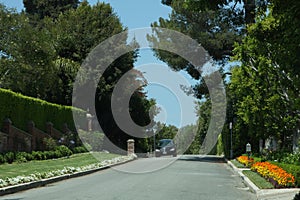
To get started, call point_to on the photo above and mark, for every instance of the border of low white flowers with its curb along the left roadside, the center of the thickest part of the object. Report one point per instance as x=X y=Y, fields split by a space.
x=71 y=173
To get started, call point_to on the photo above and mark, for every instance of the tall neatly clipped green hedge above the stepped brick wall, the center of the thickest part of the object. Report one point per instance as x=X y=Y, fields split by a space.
x=22 y=109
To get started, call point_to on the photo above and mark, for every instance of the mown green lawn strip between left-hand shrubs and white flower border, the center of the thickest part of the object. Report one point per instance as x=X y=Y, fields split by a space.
x=76 y=160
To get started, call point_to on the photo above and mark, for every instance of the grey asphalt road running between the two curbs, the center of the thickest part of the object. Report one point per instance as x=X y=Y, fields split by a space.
x=188 y=178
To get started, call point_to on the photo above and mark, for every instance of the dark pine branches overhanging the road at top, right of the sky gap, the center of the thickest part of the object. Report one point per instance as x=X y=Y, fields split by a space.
x=216 y=25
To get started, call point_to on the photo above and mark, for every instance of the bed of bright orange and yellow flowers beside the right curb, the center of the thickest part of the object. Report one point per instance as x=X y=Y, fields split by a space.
x=276 y=175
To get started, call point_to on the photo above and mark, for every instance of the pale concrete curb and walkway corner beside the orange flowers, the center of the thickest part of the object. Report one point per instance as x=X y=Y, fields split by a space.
x=265 y=194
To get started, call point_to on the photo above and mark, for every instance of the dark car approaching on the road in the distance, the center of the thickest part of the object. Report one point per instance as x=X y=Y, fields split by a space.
x=166 y=147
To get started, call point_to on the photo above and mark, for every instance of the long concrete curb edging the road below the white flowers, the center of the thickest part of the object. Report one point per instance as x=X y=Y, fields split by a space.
x=43 y=182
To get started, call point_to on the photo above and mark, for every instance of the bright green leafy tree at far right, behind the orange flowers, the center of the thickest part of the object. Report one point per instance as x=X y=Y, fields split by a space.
x=264 y=89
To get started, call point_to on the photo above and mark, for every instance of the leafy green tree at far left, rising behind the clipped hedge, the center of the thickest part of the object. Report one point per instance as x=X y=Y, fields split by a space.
x=26 y=55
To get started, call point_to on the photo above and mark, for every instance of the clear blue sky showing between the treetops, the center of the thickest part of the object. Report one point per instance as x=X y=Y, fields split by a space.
x=177 y=108
